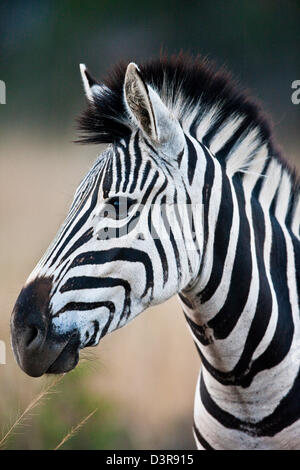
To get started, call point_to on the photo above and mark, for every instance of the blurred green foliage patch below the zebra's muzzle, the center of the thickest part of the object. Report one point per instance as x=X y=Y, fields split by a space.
x=69 y=403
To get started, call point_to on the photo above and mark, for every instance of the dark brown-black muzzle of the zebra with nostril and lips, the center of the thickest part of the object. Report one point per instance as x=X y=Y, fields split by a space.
x=36 y=347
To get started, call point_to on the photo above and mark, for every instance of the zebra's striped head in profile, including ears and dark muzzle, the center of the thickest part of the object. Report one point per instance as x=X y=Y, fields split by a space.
x=123 y=245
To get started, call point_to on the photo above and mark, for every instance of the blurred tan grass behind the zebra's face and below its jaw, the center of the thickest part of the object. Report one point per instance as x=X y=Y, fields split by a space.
x=149 y=367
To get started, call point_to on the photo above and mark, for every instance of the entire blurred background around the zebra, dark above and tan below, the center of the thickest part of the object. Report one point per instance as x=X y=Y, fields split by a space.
x=142 y=377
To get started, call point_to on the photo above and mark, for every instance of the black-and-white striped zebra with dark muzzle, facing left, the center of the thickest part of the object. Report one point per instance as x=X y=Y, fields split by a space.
x=190 y=197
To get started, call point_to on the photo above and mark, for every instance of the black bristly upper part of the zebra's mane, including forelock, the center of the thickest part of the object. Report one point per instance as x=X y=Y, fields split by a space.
x=195 y=81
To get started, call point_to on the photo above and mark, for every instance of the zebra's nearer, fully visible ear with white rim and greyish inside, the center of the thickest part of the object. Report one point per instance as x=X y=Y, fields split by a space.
x=147 y=109
